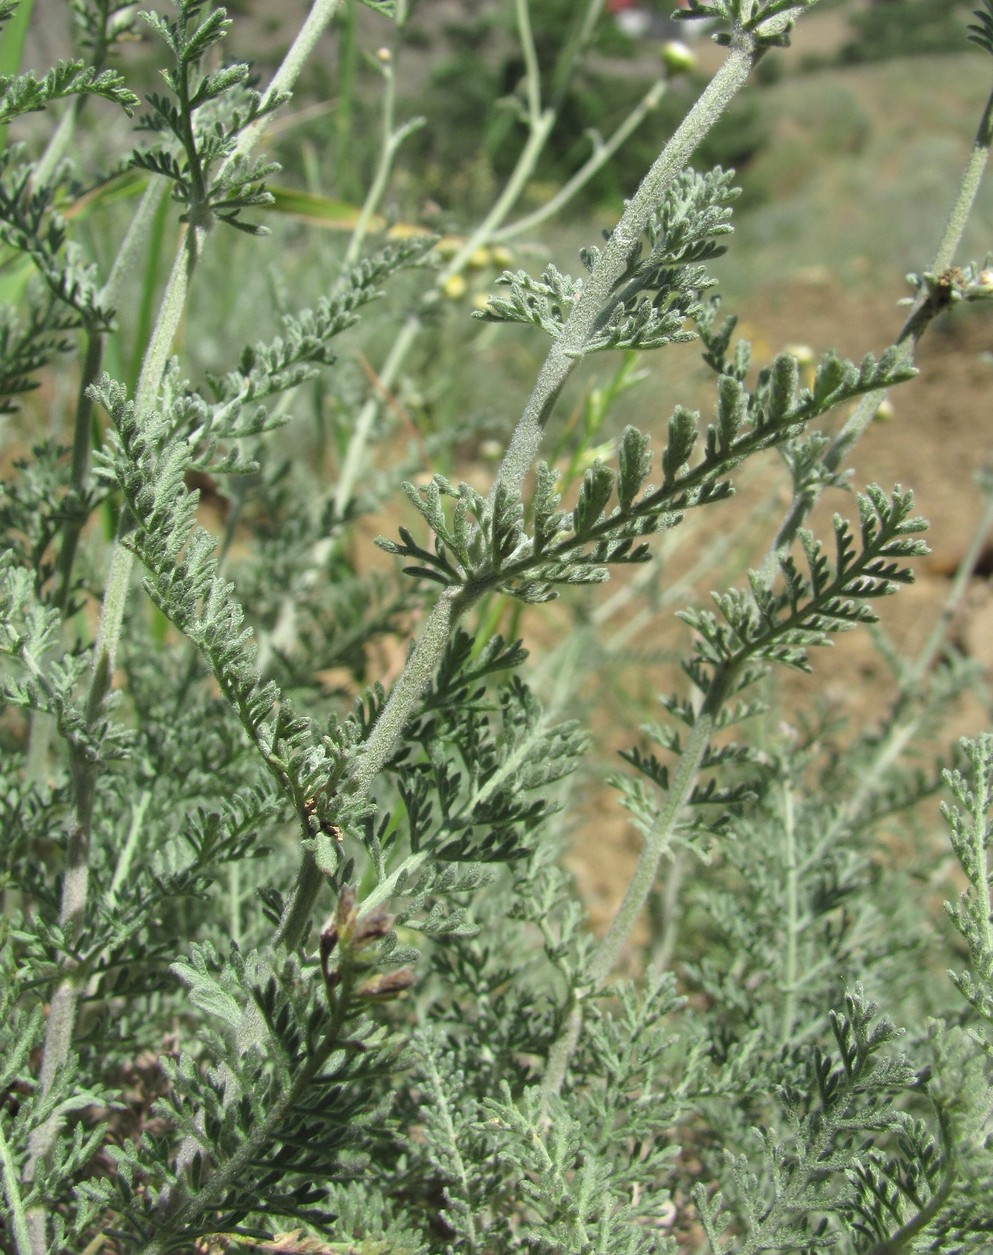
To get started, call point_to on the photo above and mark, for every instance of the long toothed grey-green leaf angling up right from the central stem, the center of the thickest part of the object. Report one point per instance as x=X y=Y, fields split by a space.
x=488 y=547
